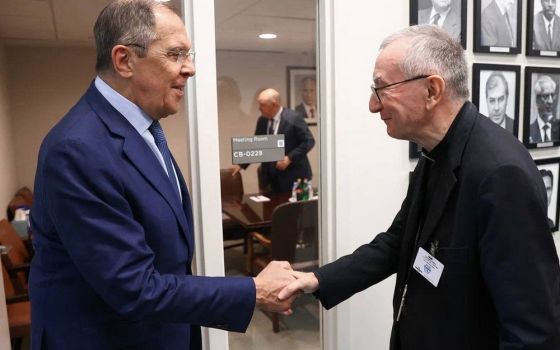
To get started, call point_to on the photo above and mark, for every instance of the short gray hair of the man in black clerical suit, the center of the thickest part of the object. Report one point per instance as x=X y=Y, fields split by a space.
x=433 y=51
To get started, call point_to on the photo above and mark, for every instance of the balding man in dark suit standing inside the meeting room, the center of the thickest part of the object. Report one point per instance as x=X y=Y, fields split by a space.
x=298 y=141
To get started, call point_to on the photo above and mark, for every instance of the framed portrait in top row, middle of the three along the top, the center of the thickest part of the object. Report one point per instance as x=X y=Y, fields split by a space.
x=497 y=26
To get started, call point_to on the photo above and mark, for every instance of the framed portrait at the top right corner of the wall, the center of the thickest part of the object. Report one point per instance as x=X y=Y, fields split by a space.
x=543 y=29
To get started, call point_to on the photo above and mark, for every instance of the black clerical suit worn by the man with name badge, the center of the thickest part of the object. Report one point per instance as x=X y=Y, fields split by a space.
x=485 y=219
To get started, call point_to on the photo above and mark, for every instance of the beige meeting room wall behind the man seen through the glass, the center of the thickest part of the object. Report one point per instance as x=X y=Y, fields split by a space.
x=253 y=71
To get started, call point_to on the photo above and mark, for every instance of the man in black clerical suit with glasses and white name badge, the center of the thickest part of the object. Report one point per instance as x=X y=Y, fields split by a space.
x=475 y=212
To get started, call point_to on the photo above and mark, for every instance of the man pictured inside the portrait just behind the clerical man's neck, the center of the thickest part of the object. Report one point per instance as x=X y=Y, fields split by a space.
x=497 y=94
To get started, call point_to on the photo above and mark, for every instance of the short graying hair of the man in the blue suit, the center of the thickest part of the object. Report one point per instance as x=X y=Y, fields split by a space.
x=125 y=22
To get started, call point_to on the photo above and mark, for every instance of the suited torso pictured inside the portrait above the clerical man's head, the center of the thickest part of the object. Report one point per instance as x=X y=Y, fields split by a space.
x=446 y=14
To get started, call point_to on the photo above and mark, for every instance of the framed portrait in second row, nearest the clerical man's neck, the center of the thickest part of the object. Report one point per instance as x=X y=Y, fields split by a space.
x=495 y=92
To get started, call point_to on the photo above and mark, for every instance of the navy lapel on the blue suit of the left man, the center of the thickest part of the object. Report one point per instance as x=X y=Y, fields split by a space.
x=139 y=153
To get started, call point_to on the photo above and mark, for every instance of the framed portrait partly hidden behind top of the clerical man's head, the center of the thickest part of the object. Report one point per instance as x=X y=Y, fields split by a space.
x=450 y=15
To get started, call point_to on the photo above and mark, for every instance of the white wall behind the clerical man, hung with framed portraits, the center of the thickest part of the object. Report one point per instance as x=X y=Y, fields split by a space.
x=371 y=168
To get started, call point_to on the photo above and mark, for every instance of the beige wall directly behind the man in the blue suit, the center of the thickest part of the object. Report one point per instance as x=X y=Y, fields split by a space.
x=43 y=84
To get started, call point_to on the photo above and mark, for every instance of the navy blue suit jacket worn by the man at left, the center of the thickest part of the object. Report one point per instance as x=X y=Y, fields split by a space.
x=114 y=245
